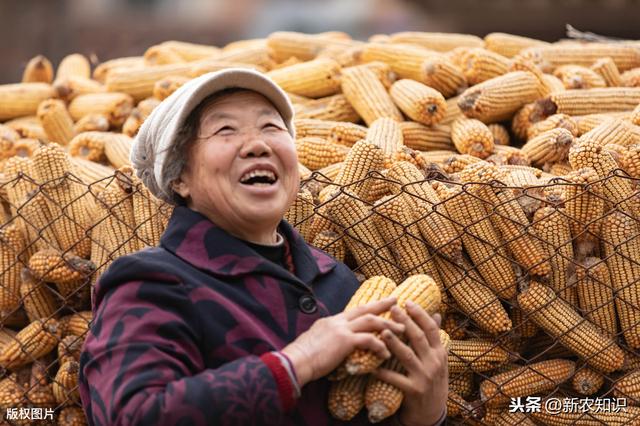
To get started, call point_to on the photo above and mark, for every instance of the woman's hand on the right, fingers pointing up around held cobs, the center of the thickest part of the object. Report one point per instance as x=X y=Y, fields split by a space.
x=425 y=385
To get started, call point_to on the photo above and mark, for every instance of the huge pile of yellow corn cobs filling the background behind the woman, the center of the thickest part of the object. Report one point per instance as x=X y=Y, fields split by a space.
x=505 y=168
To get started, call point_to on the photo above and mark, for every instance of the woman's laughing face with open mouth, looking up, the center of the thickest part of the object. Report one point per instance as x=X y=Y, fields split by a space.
x=242 y=171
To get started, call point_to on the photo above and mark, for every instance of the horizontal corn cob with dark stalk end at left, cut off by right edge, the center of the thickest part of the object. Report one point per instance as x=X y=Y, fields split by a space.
x=591 y=101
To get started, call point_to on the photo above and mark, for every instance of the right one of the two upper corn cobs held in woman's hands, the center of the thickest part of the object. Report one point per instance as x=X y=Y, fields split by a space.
x=420 y=289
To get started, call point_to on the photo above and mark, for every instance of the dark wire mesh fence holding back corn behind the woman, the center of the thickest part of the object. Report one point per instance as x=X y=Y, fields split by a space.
x=540 y=279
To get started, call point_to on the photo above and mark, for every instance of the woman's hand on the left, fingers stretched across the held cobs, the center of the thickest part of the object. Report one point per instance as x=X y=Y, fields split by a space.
x=320 y=349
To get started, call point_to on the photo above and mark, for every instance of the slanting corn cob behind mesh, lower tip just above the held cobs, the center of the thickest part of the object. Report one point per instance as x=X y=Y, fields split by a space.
x=362 y=237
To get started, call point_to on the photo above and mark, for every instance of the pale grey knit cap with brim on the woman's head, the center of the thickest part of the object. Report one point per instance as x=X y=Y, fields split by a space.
x=159 y=130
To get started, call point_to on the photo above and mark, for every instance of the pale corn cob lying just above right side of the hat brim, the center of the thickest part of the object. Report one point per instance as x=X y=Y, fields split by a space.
x=315 y=79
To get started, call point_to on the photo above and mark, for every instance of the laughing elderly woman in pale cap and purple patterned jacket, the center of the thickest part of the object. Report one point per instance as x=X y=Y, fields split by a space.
x=234 y=318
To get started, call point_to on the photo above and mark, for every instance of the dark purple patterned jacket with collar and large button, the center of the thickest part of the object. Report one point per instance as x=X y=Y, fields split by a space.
x=182 y=332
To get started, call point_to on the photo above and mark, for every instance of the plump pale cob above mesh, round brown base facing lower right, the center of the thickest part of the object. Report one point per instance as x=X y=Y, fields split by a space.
x=419 y=102
